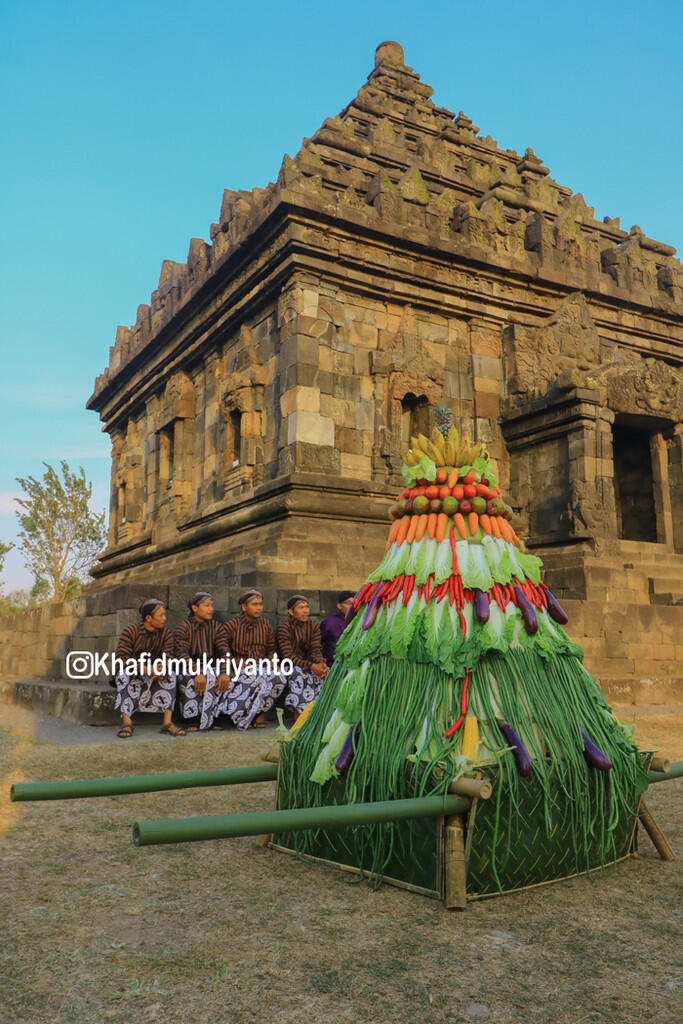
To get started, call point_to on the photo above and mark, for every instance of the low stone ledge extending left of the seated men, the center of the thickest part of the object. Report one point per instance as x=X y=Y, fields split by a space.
x=88 y=704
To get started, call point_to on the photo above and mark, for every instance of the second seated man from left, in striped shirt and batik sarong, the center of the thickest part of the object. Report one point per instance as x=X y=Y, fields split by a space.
x=202 y=696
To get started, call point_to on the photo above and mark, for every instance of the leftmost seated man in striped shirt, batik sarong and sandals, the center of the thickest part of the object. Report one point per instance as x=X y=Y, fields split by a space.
x=145 y=690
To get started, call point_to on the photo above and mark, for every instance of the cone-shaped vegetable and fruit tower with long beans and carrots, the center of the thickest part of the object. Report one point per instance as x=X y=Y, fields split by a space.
x=455 y=661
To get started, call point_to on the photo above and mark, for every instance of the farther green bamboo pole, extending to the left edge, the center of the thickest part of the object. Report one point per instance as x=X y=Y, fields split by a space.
x=82 y=788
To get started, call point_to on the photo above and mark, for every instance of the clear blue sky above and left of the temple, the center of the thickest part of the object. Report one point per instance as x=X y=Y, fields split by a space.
x=122 y=123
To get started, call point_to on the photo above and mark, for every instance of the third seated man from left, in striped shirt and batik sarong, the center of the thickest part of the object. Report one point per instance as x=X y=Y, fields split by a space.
x=252 y=637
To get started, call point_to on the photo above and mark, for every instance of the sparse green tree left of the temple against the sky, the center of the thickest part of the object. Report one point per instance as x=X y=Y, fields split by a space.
x=60 y=534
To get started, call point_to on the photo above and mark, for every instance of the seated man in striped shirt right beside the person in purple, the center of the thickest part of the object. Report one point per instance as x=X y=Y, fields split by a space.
x=300 y=641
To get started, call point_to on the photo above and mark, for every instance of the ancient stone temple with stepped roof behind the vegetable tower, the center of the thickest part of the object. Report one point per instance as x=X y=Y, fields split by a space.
x=260 y=405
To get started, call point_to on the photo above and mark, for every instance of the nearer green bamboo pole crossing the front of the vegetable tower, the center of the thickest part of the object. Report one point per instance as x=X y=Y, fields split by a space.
x=259 y=823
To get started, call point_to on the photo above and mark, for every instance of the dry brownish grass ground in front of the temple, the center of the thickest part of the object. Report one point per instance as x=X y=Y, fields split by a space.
x=94 y=930
